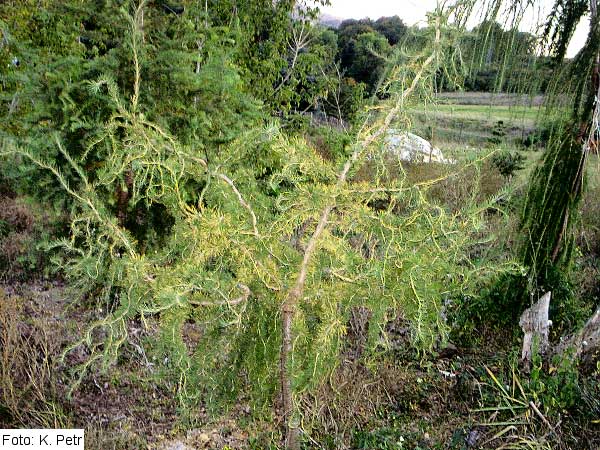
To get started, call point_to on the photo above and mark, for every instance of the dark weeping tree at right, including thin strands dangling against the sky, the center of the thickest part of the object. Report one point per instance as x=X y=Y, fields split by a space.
x=550 y=211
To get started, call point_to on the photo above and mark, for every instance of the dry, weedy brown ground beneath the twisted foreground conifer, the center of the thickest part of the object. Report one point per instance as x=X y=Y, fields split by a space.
x=444 y=402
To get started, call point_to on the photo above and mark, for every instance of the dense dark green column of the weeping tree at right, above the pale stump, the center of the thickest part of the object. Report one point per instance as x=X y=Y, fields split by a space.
x=557 y=185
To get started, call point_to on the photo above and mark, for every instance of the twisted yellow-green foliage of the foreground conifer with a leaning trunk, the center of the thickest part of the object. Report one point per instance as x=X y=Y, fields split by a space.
x=241 y=222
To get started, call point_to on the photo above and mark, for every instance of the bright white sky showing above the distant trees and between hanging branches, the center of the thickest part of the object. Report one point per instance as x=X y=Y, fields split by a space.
x=413 y=12
